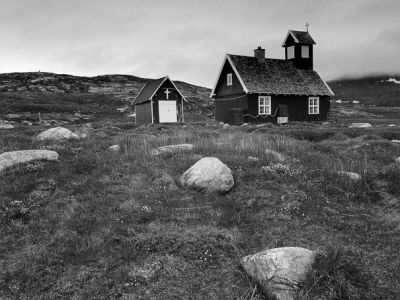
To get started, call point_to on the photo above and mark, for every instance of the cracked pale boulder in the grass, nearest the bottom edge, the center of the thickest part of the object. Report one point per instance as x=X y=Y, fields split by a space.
x=279 y=271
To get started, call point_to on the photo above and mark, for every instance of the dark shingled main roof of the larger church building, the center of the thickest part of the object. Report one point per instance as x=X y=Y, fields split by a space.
x=276 y=76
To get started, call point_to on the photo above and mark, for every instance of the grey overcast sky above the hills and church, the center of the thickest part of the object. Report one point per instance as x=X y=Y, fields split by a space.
x=188 y=39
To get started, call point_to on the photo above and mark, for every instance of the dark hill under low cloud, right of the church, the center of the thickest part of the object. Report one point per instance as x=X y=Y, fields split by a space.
x=380 y=90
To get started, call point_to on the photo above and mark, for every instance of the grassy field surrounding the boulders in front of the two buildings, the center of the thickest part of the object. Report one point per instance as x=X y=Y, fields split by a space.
x=100 y=225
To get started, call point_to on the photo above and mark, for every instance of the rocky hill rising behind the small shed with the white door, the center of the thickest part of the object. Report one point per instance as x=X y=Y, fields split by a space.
x=49 y=92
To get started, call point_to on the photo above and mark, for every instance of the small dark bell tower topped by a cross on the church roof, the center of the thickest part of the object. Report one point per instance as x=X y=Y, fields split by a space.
x=299 y=48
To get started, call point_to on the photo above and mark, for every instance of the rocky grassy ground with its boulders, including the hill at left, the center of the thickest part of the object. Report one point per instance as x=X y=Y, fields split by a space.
x=93 y=206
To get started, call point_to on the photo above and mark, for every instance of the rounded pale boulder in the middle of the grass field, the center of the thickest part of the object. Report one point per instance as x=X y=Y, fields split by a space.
x=208 y=174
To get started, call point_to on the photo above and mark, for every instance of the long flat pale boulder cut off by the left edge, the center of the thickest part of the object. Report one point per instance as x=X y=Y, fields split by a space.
x=10 y=159
